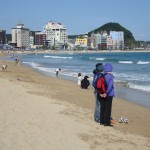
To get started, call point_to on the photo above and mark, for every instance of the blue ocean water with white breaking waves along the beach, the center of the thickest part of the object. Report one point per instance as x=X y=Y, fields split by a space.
x=131 y=70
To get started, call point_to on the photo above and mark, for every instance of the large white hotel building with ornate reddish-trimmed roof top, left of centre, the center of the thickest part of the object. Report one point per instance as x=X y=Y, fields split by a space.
x=56 y=35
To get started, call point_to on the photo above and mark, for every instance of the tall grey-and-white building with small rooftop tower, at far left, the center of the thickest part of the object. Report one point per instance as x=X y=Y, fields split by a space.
x=20 y=37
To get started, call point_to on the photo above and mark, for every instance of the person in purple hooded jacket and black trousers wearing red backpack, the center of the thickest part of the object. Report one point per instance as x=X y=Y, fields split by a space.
x=107 y=97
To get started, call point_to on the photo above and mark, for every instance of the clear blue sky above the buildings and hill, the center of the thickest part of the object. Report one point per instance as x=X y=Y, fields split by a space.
x=79 y=16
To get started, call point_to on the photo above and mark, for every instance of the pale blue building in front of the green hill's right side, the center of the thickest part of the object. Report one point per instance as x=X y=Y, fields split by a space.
x=118 y=39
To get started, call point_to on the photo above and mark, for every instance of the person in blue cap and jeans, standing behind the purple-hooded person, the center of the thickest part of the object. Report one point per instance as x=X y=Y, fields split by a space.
x=97 y=74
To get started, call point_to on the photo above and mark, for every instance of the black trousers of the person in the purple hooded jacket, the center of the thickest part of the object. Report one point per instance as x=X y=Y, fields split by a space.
x=105 y=111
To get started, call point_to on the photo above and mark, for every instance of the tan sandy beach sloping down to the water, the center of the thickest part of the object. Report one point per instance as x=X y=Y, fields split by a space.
x=46 y=113
